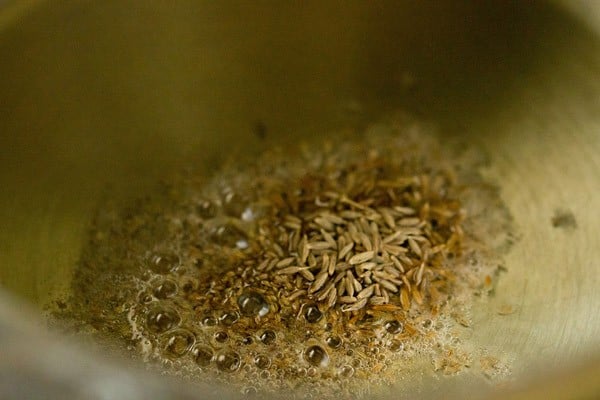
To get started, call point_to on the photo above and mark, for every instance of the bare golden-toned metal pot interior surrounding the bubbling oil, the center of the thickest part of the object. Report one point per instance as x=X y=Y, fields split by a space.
x=104 y=98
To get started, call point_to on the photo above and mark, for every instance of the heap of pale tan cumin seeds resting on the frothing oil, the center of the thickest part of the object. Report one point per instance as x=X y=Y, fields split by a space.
x=352 y=255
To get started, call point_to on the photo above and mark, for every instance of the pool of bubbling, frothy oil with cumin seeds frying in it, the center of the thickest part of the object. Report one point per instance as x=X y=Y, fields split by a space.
x=334 y=267
